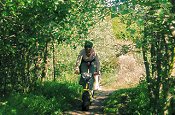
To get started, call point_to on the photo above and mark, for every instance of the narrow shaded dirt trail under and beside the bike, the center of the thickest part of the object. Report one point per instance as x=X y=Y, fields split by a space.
x=96 y=107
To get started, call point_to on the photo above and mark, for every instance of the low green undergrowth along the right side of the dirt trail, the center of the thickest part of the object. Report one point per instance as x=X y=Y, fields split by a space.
x=128 y=101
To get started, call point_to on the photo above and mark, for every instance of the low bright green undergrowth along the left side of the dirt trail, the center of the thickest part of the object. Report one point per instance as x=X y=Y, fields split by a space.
x=48 y=98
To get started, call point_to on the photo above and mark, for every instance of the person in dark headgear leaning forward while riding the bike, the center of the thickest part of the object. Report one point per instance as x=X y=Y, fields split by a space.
x=87 y=57
